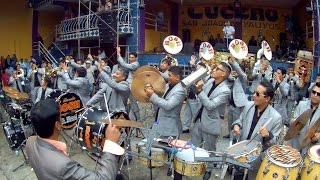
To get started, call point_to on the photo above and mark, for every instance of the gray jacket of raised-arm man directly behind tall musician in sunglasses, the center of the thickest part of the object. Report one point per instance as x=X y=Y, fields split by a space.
x=239 y=85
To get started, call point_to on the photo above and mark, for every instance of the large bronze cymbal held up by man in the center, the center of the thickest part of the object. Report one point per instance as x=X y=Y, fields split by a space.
x=148 y=77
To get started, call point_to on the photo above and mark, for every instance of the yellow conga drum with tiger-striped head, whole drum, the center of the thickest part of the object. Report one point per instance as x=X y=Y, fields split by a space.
x=280 y=162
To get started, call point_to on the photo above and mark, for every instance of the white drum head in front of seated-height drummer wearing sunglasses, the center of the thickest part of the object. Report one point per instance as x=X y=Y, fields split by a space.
x=243 y=147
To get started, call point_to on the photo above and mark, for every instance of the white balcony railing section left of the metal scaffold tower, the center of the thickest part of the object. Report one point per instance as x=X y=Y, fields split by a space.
x=78 y=24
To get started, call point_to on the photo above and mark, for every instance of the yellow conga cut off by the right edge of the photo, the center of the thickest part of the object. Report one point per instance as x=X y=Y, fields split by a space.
x=311 y=168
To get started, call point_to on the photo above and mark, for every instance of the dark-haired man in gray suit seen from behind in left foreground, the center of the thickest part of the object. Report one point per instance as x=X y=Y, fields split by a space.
x=48 y=156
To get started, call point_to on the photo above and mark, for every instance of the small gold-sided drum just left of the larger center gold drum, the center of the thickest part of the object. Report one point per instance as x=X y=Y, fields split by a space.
x=156 y=153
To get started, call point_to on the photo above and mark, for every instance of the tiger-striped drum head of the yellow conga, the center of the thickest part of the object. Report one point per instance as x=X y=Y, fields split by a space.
x=284 y=156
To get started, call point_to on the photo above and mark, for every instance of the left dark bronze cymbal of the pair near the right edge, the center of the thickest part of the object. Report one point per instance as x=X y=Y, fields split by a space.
x=297 y=125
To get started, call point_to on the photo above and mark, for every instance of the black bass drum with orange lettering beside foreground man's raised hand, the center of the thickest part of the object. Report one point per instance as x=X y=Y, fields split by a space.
x=90 y=130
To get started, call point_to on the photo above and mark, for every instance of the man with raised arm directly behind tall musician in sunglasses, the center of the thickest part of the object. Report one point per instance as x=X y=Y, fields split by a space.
x=237 y=83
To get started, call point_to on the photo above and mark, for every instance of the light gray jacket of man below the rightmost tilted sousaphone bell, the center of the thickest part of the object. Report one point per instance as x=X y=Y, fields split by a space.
x=257 y=77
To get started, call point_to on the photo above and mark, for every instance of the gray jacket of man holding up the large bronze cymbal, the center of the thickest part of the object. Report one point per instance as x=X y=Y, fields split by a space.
x=169 y=110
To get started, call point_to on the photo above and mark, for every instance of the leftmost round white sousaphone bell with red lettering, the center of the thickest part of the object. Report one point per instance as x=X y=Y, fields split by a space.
x=172 y=44
